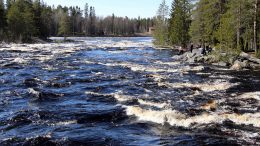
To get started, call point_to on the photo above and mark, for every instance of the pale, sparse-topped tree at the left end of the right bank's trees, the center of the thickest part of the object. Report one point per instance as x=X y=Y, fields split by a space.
x=161 y=26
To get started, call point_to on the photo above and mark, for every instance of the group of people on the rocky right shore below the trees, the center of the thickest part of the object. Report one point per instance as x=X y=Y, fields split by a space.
x=204 y=50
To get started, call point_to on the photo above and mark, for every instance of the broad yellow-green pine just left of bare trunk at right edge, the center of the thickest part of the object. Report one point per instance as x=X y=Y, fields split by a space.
x=235 y=24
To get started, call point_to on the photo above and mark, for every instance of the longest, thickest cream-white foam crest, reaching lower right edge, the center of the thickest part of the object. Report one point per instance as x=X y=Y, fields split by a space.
x=175 y=118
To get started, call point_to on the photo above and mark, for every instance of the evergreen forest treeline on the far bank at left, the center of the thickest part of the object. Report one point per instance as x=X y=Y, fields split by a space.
x=20 y=20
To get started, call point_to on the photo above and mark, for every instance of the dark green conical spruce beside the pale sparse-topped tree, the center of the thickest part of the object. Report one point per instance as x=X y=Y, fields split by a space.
x=180 y=23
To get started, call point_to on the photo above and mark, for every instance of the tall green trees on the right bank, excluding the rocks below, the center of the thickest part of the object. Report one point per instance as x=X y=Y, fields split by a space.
x=225 y=24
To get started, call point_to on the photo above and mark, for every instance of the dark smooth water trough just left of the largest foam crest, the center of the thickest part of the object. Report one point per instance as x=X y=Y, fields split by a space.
x=114 y=115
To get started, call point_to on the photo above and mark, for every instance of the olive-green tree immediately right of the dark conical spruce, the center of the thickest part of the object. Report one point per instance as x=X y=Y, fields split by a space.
x=206 y=21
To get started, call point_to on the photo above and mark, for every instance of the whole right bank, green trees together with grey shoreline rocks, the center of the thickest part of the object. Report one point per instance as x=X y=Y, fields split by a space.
x=230 y=27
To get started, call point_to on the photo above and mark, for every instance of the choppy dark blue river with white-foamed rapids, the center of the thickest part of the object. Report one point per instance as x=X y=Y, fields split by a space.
x=122 y=91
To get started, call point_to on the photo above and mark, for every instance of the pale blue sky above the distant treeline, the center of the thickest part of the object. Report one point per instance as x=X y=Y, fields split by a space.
x=130 y=8
